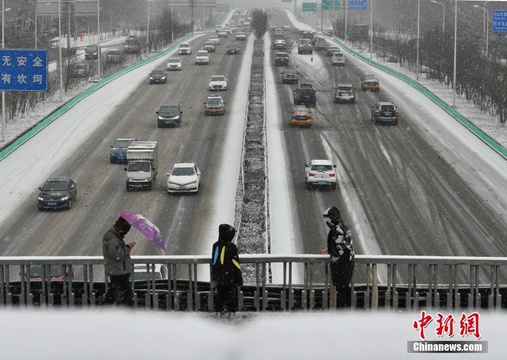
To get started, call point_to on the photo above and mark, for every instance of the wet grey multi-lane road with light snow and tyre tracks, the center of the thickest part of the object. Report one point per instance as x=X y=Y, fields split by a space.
x=400 y=192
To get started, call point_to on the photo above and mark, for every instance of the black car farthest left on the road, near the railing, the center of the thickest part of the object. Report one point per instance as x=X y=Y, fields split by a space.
x=57 y=193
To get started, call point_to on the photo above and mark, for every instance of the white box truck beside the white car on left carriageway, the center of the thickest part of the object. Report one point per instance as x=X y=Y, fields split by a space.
x=142 y=165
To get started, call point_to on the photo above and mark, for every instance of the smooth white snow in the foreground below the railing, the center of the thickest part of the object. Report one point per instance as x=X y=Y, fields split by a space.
x=99 y=334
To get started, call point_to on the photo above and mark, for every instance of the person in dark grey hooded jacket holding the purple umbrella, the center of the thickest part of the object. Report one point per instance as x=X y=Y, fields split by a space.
x=118 y=264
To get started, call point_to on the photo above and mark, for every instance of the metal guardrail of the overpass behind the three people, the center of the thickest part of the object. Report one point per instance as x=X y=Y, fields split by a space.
x=388 y=282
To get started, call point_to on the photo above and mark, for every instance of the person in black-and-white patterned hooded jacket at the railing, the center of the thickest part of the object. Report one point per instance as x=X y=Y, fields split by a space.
x=341 y=252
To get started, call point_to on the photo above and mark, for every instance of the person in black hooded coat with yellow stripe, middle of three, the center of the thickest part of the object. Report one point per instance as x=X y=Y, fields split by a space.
x=226 y=273
